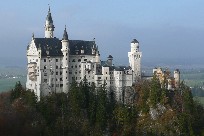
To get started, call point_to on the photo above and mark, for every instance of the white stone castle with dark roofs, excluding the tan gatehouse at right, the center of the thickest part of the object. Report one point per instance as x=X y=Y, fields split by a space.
x=53 y=64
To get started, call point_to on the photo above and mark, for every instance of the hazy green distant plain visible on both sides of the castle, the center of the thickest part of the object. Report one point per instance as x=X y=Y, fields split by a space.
x=10 y=75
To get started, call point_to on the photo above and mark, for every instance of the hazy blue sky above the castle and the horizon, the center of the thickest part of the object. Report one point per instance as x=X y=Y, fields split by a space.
x=168 y=30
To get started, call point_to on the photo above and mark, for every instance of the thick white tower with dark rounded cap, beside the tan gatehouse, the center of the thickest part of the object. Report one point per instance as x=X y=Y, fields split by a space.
x=135 y=60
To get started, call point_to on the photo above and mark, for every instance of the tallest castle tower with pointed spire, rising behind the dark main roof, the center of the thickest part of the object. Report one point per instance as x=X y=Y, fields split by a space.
x=49 y=27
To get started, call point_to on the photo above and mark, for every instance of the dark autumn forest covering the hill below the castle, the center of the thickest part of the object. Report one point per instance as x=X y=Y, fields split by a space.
x=89 y=111
